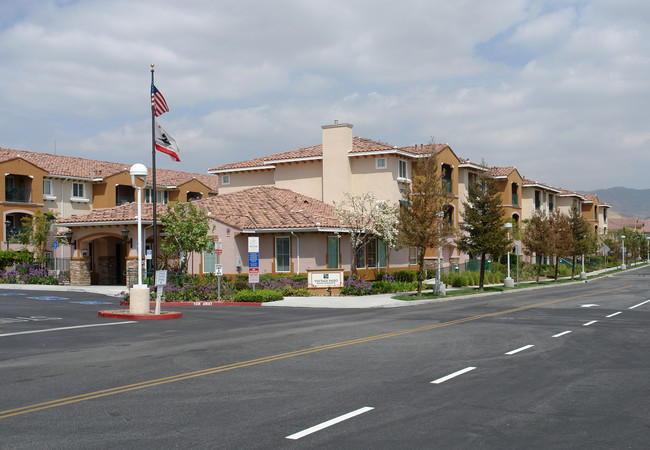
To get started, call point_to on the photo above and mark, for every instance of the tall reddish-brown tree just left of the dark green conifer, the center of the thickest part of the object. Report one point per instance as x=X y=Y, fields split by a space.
x=422 y=223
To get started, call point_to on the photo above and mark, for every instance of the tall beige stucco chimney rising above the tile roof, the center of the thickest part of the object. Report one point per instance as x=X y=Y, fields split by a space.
x=337 y=144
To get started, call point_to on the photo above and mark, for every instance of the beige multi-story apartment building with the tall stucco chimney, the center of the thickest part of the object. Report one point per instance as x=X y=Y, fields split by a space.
x=346 y=163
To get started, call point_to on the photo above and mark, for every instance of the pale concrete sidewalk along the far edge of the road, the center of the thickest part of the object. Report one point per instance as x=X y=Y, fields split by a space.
x=366 y=301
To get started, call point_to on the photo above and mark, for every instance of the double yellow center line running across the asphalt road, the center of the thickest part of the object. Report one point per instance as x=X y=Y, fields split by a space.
x=199 y=373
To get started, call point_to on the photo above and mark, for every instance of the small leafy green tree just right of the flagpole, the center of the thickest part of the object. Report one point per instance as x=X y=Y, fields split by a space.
x=187 y=231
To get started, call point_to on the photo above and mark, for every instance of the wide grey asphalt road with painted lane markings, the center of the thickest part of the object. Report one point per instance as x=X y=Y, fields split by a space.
x=565 y=367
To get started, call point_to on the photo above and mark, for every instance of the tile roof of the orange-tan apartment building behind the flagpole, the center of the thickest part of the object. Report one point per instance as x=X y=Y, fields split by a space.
x=75 y=167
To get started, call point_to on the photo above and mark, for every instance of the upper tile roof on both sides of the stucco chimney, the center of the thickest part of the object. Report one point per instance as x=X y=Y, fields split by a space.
x=360 y=146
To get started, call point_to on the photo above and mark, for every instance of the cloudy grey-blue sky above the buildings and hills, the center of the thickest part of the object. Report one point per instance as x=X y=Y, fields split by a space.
x=559 y=88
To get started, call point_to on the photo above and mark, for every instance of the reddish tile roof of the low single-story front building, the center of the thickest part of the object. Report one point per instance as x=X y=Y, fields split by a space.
x=255 y=208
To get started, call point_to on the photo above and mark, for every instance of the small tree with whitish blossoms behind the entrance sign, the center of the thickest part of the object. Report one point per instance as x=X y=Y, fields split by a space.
x=365 y=217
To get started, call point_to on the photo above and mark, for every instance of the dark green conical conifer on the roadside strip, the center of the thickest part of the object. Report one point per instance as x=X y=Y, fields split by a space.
x=484 y=233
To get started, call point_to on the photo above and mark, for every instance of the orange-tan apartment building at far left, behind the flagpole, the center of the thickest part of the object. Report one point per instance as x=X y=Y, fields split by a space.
x=71 y=186
